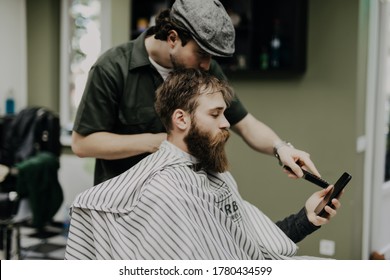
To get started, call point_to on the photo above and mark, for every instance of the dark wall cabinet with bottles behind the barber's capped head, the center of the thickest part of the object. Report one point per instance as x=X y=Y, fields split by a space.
x=271 y=35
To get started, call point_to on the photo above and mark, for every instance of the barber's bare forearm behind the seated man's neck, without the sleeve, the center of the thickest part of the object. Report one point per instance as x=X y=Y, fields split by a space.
x=105 y=145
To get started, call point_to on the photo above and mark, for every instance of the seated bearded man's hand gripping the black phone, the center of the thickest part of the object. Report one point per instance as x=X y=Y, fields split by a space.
x=312 y=203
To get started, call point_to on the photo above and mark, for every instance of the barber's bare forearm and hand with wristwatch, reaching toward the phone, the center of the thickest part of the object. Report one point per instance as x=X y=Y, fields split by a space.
x=263 y=139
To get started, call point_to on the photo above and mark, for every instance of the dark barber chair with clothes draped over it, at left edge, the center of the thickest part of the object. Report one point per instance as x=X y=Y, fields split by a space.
x=30 y=193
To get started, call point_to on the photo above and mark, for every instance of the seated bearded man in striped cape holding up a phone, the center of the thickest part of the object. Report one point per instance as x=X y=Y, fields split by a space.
x=181 y=202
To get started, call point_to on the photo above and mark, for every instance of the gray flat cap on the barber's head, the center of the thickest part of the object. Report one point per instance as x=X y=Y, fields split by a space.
x=209 y=24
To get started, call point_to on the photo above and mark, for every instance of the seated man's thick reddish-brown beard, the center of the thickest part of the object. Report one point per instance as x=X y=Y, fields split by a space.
x=210 y=151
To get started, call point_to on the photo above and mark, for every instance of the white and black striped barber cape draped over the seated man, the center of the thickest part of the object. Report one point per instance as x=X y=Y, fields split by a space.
x=164 y=209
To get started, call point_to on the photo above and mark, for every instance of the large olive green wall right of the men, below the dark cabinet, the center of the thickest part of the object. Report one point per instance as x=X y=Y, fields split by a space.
x=317 y=113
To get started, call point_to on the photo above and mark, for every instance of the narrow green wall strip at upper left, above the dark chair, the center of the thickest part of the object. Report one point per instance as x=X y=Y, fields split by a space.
x=43 y=37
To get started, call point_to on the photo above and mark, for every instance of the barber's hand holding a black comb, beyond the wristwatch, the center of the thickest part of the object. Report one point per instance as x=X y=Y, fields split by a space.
x=290 y=156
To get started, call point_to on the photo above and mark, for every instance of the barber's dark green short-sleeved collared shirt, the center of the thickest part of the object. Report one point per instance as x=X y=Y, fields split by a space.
x=119 y=98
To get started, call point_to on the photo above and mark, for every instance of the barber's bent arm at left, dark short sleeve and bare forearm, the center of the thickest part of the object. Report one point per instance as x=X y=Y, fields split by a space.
x=96 y=117
